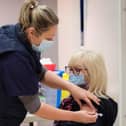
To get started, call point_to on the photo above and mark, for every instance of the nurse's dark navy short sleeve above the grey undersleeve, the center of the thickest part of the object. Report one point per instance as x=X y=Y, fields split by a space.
x=18 y=76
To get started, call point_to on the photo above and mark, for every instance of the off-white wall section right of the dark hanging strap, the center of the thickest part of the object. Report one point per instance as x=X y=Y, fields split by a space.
x=102 y=35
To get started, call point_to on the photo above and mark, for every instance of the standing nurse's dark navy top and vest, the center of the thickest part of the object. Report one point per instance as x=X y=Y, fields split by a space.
x=20 y=72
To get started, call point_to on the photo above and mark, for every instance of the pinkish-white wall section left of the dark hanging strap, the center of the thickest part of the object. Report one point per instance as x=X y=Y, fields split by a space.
x=69 y=29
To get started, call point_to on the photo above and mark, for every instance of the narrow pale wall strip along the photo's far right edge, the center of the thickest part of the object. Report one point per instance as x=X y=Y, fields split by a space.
x=123 y=66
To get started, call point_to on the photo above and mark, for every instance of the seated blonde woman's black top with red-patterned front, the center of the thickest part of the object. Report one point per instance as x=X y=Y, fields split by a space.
x=108 y=107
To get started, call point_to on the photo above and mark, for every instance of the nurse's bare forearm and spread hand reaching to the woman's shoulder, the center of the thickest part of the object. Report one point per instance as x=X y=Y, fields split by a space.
x=54 y=81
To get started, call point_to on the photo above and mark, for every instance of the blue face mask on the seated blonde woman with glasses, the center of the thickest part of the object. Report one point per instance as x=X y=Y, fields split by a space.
x=77 y=79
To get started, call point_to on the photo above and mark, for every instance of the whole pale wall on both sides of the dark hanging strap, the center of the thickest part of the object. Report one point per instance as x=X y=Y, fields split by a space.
x=102 y=35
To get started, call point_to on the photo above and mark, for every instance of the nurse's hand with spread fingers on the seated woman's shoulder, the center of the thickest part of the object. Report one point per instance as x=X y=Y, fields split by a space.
x=82 y=94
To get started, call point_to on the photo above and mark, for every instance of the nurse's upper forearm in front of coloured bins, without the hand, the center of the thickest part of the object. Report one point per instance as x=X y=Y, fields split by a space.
x=54 y=81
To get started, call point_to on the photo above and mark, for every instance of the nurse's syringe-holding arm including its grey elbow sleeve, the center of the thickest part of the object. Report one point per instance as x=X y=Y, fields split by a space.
x=34 y=106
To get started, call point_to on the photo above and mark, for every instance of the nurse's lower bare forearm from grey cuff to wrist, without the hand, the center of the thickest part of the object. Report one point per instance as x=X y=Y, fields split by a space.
x=48 y=112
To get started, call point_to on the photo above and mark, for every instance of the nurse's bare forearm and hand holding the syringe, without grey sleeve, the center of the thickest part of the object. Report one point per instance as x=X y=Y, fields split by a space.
x=49 y=112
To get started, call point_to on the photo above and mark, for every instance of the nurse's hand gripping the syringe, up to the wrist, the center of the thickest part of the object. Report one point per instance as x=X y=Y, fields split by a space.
x=86 y=117
